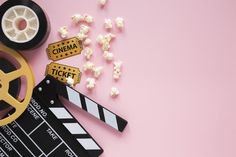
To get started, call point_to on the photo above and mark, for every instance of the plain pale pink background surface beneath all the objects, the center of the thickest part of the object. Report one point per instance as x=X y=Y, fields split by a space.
x=179 y=81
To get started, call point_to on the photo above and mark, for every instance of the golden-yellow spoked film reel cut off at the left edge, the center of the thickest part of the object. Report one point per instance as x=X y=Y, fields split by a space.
x=6 y=78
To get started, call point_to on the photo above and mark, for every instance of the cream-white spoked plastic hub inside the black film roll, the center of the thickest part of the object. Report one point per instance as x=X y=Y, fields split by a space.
x=20 y=24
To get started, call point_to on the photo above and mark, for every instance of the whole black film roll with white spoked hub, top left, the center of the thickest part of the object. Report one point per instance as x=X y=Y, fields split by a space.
x=24 y=25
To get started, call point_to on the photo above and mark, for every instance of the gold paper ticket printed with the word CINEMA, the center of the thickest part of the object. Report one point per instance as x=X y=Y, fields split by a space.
x=64 y=49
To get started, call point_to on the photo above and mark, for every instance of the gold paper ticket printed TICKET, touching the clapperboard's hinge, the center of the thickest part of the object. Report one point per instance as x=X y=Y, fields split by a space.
x=61 y=72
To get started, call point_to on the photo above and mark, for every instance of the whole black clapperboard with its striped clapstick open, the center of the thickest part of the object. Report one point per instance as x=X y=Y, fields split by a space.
x=47 y=128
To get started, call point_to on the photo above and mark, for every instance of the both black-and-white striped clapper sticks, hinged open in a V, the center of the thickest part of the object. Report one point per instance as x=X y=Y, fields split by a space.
x=49 y=91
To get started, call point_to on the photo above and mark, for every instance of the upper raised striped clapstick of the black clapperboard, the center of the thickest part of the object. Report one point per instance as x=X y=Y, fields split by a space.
x=55 y=88
